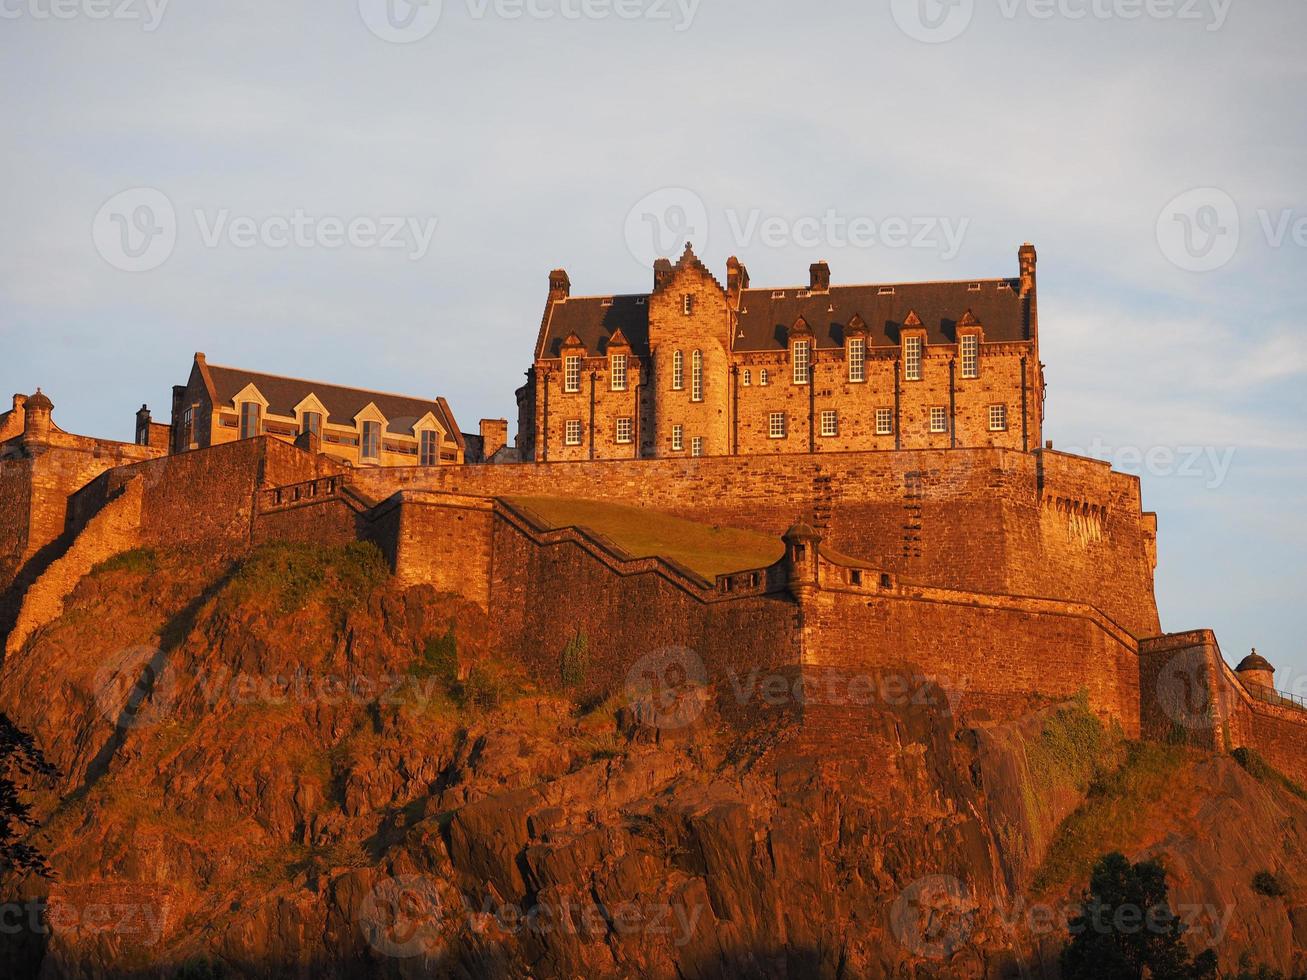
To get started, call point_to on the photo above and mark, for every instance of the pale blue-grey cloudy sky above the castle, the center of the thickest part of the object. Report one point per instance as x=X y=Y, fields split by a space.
x=373 y=193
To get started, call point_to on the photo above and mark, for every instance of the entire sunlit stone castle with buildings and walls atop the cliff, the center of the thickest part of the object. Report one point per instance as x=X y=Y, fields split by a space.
x=968 y=552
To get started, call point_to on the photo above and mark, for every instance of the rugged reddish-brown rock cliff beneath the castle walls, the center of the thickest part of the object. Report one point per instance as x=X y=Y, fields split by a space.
x=278 y=770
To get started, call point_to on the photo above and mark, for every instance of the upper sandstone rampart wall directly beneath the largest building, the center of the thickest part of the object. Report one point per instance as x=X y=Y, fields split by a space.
x=977 y=521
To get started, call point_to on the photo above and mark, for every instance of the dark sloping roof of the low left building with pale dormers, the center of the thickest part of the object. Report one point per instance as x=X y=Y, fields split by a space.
x=342 y=404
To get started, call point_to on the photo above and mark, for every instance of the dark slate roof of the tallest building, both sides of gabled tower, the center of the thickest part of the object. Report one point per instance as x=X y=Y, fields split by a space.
x=767 y=316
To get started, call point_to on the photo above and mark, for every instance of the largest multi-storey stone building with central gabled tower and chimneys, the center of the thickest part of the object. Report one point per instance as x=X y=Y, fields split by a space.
x=695 y=369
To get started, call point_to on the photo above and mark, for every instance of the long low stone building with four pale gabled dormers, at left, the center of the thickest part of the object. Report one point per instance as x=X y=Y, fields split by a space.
x=354 y=427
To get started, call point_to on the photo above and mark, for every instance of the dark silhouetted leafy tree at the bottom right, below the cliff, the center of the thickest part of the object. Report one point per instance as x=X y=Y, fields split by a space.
x=1126 y=928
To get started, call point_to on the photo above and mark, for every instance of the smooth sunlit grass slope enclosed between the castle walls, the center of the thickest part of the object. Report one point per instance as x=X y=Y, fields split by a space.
x=644 y=534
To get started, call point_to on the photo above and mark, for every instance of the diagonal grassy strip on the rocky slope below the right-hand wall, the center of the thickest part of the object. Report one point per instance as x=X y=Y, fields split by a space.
x=1113 y=816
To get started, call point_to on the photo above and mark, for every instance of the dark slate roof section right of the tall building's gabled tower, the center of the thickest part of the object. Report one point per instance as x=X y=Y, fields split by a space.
x=998 y=305
